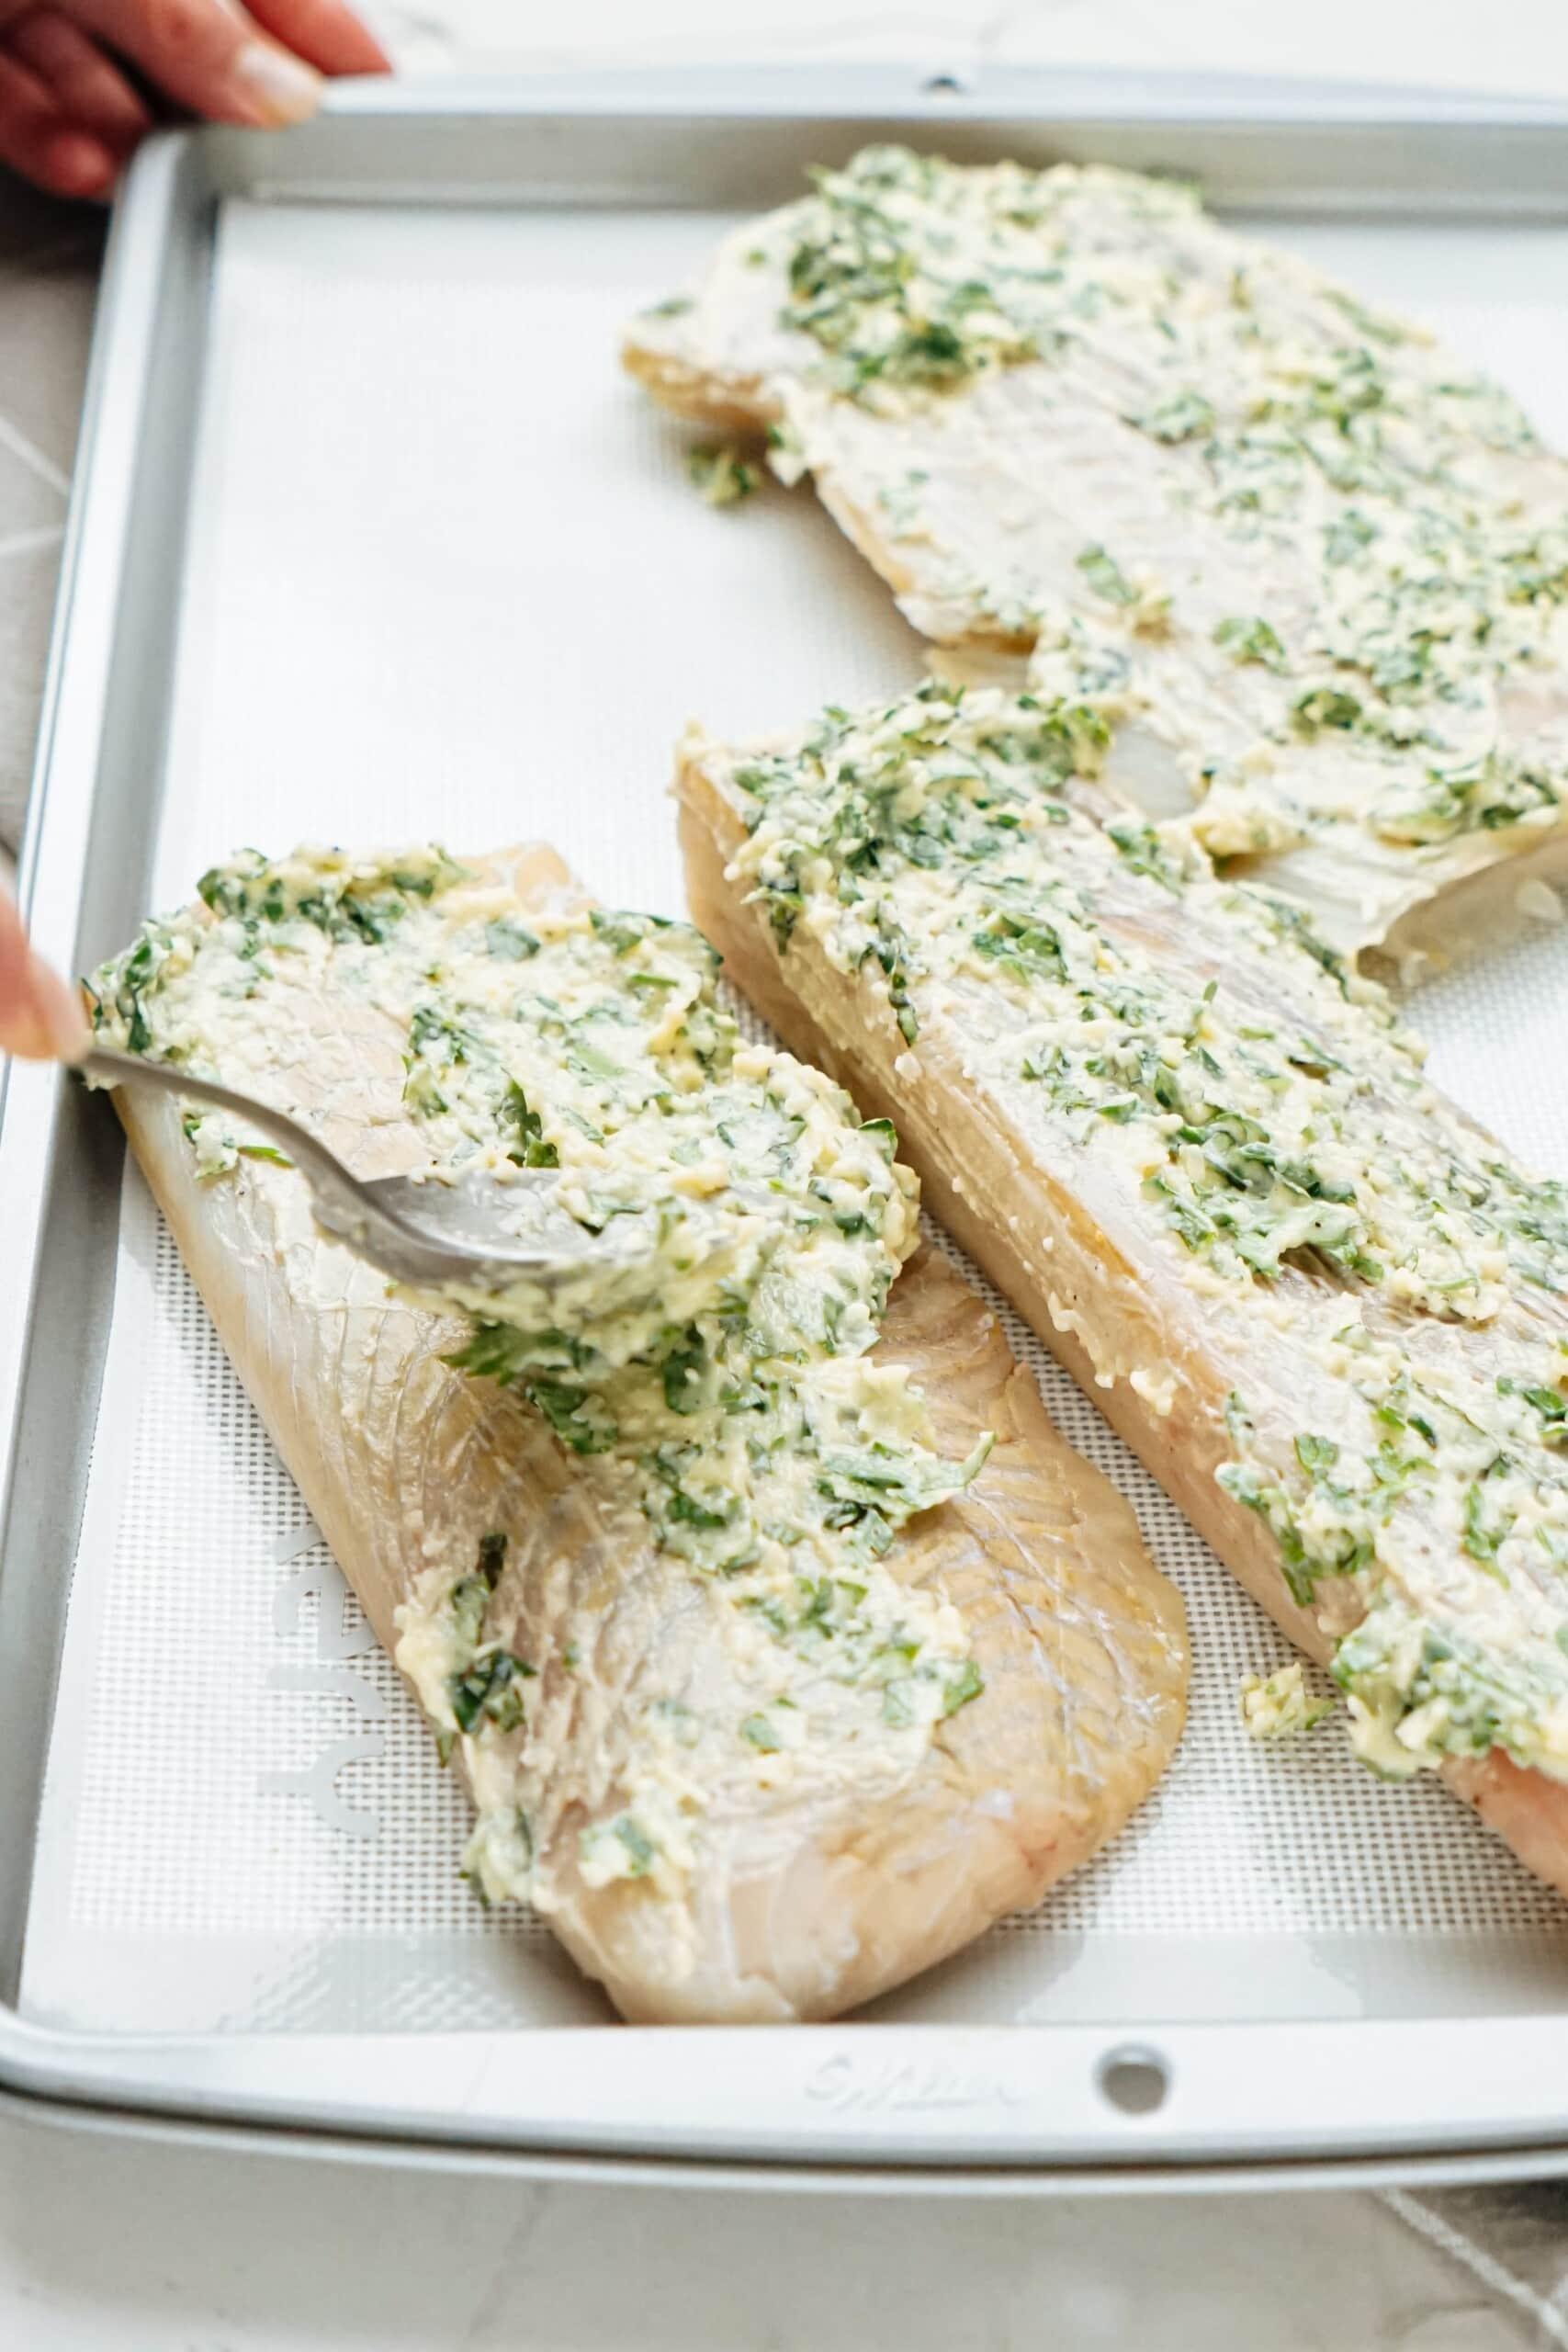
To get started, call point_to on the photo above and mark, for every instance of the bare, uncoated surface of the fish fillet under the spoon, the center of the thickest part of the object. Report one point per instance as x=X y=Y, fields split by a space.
x=803 y=1904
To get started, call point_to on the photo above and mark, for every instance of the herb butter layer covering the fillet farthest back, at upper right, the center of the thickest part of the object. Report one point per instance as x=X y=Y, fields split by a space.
x=1308 y=556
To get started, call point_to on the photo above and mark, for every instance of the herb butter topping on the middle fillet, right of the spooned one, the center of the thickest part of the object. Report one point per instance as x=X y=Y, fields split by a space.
x=1376 y=1283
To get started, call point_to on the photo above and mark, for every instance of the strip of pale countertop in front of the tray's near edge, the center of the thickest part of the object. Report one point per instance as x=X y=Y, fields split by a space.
x=112 y=2247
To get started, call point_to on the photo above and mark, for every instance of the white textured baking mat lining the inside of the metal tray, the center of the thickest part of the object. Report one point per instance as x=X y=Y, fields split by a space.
x=445 y=577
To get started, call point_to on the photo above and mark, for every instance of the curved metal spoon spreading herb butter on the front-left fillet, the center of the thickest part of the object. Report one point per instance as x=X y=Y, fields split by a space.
x=422 y=1234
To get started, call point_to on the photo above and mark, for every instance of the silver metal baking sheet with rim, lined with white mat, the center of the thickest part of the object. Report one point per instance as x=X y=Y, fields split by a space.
x=375 y=542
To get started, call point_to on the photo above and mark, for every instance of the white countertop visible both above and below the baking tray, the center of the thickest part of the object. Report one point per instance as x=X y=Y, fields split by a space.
x=128 y=2247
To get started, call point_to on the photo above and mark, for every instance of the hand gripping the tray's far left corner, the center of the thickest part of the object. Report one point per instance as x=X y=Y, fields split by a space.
x=72 y=114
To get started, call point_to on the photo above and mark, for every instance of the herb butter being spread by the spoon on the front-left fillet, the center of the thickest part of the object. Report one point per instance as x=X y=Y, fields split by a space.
x=732 y=1403
